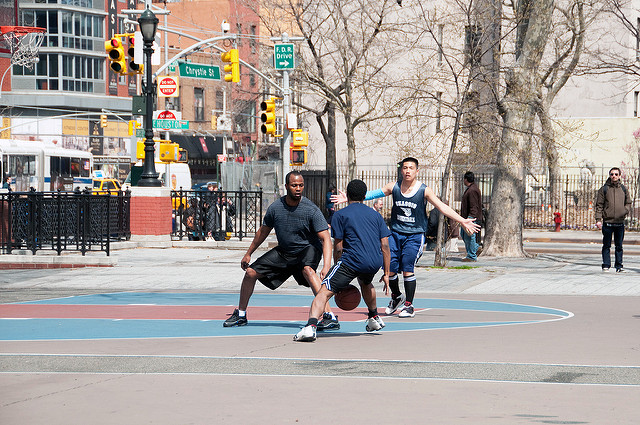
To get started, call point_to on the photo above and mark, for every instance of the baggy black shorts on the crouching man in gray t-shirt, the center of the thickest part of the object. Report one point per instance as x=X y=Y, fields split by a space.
x=275 y=267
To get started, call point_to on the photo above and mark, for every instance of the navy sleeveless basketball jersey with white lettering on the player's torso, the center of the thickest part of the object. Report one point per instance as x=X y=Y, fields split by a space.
x=408 y=213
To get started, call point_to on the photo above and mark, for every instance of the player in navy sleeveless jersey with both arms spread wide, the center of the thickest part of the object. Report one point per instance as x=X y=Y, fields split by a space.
x=408 y=226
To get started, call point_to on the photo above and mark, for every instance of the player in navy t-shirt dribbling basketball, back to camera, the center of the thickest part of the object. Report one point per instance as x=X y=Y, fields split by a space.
x=360 y=246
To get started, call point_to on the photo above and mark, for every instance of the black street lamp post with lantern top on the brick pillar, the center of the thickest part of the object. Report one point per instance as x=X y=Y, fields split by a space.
x=148 y=24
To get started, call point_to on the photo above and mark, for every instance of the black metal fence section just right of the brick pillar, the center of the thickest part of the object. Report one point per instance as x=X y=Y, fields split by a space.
x=215 y=215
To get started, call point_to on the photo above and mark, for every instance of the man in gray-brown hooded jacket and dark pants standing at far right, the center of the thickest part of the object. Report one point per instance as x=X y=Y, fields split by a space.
x=612 y=206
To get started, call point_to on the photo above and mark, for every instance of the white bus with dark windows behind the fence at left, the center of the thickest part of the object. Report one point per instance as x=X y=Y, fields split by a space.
x=43 y=166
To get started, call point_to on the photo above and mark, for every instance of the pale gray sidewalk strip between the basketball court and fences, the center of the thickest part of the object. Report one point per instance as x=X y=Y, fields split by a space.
x=204 y=266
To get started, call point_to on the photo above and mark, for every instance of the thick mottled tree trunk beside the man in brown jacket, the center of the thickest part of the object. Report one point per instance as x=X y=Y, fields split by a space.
x=518 y=110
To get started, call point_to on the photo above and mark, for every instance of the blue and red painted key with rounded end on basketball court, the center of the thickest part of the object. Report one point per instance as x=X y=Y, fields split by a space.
x=269 y=314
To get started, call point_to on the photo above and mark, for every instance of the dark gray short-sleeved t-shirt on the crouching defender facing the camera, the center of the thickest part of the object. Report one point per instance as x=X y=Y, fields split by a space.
x=296 y=227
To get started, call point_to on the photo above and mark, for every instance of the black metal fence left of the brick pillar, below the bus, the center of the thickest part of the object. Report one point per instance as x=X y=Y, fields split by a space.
x=63 y=221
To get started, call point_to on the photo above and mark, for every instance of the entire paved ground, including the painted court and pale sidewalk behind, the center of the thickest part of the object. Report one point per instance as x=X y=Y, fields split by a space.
x=548 y=339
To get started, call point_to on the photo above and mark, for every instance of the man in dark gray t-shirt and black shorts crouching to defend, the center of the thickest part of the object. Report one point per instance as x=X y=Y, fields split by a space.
x=303 y=238
